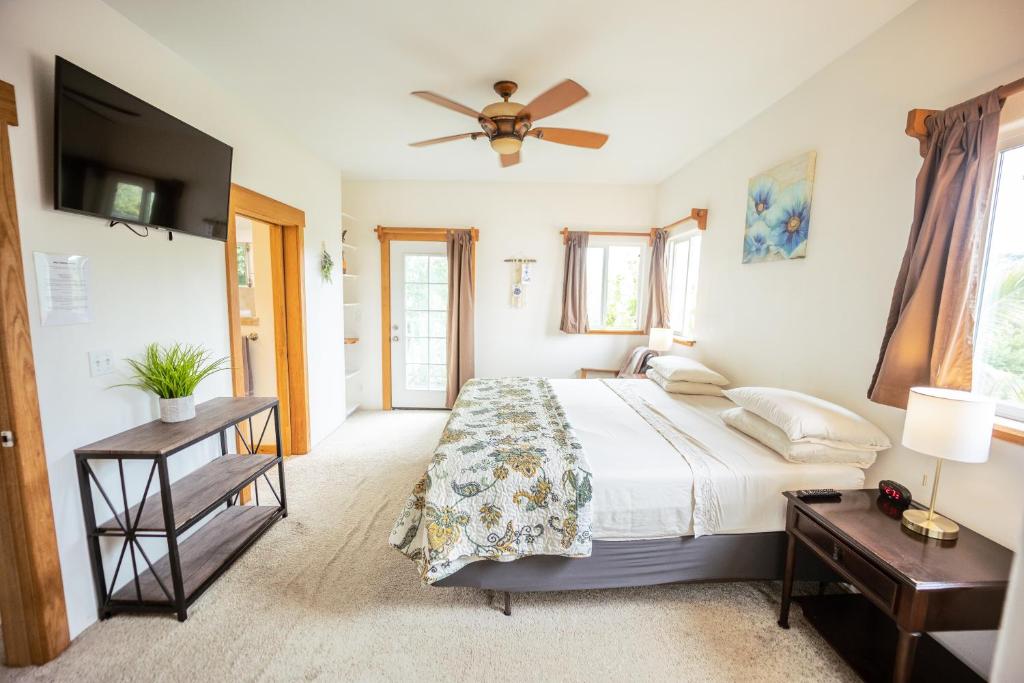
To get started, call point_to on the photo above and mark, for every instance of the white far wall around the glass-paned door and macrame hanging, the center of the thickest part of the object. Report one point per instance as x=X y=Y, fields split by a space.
x=516 y=221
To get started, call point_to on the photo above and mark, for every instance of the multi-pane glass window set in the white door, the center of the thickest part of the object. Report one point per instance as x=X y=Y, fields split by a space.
x=426 y=322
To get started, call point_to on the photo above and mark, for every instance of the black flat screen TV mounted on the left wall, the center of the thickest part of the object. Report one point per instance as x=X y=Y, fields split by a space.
x=124 y=160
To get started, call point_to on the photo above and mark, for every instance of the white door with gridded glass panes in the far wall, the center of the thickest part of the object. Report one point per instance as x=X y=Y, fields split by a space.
x=419 y=324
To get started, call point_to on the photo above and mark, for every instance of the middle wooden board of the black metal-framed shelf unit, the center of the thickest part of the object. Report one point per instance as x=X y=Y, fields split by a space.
x=196 y=493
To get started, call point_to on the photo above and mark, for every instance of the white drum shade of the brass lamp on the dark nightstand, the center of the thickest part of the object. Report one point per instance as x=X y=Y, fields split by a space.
x=950 y=424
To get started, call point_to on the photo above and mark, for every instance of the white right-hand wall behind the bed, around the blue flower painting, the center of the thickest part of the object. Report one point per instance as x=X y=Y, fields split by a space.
x=816 y=325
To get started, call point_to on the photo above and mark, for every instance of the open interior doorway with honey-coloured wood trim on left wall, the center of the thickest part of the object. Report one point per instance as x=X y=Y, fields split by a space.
x=264 y=259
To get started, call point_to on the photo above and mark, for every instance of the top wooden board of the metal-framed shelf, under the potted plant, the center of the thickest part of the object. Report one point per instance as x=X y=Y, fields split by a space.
x=161 y=439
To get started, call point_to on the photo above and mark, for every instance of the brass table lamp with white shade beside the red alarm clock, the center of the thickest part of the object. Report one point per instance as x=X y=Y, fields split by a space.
x=949 y=425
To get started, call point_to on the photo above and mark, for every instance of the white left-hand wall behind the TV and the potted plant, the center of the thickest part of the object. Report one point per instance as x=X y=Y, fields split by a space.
x=145 y=289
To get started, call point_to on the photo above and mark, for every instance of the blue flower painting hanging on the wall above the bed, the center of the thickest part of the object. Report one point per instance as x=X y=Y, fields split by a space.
x=779 y=211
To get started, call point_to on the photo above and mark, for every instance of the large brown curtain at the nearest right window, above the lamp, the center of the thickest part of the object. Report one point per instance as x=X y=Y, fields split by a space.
x=929 y=338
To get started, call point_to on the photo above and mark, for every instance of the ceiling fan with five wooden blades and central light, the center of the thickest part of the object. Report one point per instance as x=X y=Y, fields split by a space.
x=507 y=124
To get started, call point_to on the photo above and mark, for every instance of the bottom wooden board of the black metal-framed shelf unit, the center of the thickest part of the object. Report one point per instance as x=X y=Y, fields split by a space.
x=202 y=554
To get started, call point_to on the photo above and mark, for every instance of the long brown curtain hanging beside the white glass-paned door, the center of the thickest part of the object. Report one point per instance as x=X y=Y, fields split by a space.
x=462 y=302
